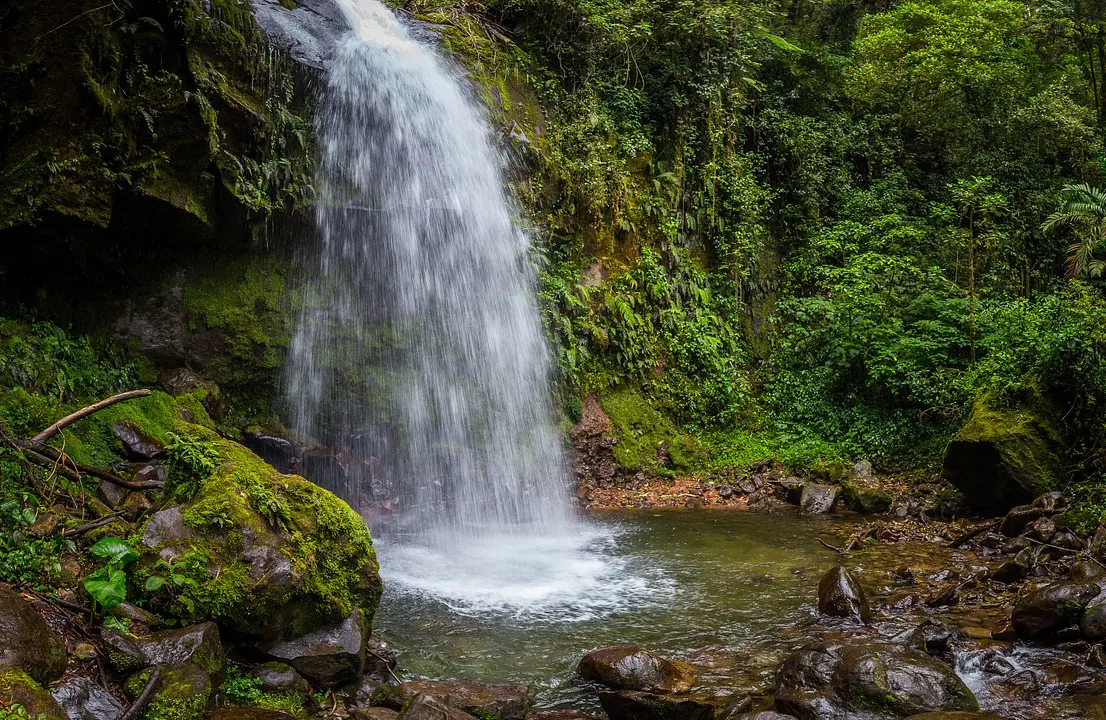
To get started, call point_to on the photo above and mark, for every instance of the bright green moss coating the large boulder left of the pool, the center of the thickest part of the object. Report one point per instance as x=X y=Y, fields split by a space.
x=327 y=544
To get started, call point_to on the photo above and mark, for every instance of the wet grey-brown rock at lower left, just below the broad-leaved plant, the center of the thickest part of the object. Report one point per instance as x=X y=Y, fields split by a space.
x=199 y=644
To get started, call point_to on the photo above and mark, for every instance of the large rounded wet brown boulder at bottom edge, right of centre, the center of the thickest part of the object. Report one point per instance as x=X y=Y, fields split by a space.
x=836 y=681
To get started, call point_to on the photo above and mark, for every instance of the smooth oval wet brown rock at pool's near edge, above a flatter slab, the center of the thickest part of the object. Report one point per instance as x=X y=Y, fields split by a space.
x=634 y=669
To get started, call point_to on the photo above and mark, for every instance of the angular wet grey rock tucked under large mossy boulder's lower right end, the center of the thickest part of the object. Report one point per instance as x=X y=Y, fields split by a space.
x=329 y=656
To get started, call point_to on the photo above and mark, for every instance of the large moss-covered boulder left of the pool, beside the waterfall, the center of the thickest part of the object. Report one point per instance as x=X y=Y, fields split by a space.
x=274 y=557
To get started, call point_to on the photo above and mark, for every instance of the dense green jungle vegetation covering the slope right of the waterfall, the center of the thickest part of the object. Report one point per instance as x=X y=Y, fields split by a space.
x=823 y=228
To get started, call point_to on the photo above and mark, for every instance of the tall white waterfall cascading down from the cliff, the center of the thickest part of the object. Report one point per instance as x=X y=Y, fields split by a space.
x=420 y=343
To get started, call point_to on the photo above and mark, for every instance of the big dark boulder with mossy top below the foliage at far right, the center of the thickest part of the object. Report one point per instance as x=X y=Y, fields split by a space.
x=1007 y=453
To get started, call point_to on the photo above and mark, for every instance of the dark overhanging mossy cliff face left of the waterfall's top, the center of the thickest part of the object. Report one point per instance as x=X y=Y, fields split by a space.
x=137 y=129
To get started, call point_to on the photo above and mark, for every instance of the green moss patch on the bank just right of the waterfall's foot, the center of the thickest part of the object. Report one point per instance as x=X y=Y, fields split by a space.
x=644 y=436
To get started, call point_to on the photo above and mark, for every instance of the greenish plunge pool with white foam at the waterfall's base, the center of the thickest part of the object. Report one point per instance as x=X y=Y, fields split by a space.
x=700 y=587
